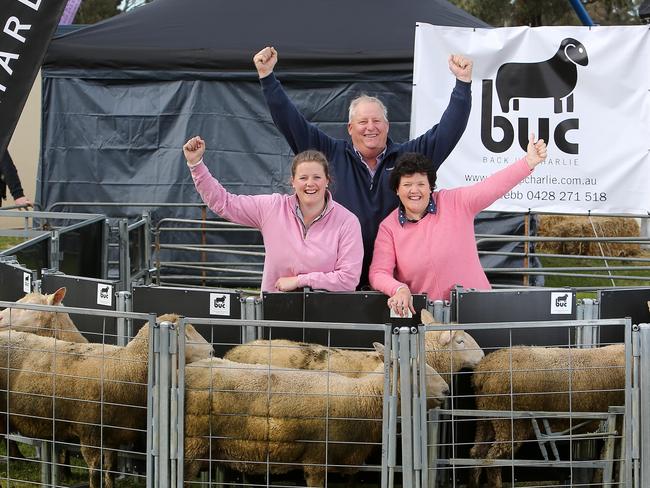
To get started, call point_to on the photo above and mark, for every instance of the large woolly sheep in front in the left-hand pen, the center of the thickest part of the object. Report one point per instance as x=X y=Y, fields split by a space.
x=71 y=390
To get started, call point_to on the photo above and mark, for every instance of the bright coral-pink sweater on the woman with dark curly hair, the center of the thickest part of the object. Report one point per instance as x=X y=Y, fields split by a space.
x=439 y=251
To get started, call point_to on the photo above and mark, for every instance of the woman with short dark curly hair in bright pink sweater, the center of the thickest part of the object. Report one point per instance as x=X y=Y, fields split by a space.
x=427 y=244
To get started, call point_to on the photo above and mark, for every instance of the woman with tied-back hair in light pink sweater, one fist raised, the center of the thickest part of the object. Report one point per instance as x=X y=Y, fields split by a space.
x=309 y=239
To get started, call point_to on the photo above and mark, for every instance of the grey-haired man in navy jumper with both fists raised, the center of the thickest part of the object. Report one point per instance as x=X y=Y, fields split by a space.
x=361 y=168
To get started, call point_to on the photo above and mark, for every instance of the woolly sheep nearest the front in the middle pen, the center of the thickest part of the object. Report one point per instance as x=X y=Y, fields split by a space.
x=247 y=415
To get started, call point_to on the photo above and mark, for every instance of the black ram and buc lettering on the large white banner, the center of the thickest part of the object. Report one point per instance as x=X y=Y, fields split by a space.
x=555 y=78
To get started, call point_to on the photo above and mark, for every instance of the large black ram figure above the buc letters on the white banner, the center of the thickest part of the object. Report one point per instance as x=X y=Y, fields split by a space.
x=554 y=78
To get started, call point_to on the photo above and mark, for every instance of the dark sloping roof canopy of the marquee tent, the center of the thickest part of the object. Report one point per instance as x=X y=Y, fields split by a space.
x=323 y=36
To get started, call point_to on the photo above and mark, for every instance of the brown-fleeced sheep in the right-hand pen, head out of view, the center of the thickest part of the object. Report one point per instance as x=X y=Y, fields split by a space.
x=538 y=379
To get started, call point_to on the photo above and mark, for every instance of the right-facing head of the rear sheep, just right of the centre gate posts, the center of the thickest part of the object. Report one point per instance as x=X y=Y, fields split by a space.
x=440 y=344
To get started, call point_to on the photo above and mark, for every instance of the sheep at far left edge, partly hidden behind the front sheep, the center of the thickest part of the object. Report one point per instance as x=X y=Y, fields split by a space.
x=48 y=324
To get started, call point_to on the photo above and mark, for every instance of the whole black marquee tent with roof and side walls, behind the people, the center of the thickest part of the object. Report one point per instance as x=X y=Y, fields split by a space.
x=121 y=97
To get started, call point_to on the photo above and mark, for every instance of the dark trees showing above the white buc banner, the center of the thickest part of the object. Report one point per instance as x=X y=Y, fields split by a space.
x=506 y=13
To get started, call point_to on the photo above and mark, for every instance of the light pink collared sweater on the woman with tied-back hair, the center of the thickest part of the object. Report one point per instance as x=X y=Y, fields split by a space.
x=329 y=255
